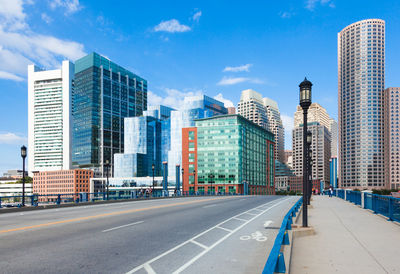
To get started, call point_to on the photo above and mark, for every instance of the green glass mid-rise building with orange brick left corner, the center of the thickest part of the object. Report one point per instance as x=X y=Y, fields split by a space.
x=226 y=153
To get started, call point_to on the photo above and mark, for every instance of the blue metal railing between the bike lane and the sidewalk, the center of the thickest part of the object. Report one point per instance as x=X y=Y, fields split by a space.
x=276 y=261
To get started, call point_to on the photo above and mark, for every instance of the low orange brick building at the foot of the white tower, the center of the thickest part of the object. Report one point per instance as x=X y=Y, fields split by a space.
x=62 y=181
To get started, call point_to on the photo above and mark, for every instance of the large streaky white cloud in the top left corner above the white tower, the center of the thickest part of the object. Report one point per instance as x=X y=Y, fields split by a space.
x=20 y=46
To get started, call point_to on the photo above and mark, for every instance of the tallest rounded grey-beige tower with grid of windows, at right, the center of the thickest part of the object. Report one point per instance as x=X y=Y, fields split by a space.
x=361 y=81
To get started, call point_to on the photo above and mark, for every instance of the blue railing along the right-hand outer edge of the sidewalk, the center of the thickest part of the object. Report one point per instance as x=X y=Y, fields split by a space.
x=387 y=206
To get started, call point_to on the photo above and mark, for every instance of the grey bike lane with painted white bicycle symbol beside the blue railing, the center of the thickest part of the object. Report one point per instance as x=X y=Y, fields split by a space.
x=247 y=249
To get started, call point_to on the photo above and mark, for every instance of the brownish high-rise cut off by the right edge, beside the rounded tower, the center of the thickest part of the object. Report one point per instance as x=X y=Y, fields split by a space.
x=392 y=131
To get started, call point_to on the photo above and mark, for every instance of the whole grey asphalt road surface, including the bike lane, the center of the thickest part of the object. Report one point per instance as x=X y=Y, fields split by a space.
x=186 y=235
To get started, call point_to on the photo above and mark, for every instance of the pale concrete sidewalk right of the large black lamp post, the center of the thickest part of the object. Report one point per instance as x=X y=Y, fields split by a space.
x=347 y=239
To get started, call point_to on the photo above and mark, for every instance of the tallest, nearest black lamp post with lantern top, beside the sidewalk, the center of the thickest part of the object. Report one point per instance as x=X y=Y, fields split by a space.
x=305 y=102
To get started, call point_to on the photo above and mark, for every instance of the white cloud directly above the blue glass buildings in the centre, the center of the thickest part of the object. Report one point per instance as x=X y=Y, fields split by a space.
x=173 y=97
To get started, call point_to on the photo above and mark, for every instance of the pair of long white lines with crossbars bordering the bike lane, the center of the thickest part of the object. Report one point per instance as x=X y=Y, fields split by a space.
x=202 y=233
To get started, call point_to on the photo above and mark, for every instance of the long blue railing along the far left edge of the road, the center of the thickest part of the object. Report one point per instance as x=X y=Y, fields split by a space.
x=45 y=199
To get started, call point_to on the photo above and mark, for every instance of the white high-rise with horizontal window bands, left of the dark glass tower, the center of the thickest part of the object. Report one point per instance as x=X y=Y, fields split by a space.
x=50 y=104
